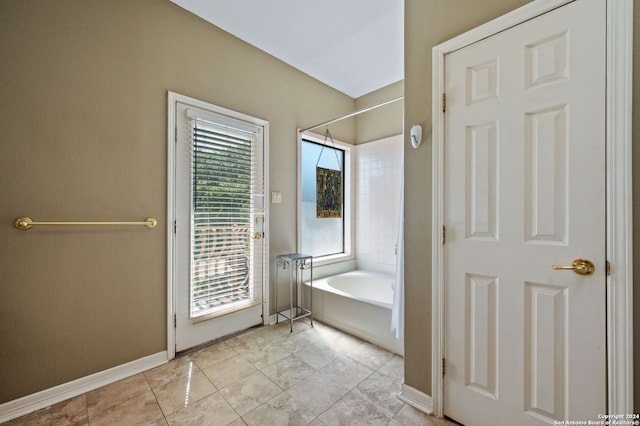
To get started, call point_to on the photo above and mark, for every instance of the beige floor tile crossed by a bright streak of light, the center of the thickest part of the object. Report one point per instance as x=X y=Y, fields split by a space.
x=183 y=392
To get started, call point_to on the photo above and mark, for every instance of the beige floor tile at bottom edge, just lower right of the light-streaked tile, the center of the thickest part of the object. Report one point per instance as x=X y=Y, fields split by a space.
x=211 y=410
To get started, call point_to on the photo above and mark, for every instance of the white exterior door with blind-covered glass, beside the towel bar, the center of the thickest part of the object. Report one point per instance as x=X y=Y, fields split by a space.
x=219 y=222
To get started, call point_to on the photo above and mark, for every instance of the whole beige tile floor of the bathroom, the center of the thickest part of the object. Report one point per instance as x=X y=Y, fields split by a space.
x=264 y=376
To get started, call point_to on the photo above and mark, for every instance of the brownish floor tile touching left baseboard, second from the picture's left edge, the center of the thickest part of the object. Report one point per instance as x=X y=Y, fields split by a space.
x=116 y=393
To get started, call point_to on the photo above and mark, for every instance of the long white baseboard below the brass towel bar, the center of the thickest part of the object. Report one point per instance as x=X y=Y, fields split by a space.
x=30 y=403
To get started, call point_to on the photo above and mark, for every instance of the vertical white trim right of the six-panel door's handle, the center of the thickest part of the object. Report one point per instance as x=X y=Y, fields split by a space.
x=619 y=205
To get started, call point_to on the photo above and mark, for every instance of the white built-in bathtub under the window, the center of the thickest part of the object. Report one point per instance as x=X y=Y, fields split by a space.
x=358 y=302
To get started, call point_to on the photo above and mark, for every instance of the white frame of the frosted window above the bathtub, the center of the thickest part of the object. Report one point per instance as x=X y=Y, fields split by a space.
x=348 y=195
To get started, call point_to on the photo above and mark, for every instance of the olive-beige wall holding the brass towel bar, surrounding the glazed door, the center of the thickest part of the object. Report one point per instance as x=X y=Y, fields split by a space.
x=83 y=100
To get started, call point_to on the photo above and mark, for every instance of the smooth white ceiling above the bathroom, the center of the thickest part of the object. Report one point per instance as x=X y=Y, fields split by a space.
x=354 y=46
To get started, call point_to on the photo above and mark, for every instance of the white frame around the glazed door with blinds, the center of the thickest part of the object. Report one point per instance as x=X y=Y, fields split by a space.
x=172 y=99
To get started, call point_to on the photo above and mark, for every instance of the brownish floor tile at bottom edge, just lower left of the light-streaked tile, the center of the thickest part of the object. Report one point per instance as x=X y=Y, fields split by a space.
x=141 y=409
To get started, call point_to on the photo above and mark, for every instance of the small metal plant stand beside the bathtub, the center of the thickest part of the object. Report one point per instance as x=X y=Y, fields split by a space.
x=295 y=263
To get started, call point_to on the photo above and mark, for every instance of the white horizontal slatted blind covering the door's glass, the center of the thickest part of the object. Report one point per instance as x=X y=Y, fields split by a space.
x=224 y=246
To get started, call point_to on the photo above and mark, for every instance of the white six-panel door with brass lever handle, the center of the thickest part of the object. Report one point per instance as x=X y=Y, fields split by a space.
x=525 y=190
